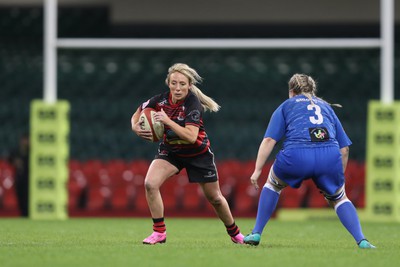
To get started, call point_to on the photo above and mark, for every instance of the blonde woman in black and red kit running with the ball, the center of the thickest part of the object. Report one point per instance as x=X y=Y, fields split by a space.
x=185 y=145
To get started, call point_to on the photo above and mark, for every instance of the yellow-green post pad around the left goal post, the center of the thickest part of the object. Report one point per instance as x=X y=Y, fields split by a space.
x=49 y=155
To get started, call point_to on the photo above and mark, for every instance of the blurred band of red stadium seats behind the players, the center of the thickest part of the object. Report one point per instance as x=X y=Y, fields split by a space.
x=117 y=187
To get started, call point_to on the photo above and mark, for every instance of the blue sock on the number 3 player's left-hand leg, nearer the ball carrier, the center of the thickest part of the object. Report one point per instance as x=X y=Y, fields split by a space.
x=266 y=206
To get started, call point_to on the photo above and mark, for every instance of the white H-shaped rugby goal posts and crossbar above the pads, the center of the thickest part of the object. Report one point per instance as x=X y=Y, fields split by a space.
x=385 y=43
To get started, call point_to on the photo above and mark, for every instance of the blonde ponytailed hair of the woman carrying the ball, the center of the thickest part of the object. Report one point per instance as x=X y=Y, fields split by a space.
x=194 y=78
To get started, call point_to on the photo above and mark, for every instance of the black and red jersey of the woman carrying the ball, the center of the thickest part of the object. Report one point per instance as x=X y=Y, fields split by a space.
x=187 y=112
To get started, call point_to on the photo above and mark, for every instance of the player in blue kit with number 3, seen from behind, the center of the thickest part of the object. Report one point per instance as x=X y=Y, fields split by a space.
x=315 y=146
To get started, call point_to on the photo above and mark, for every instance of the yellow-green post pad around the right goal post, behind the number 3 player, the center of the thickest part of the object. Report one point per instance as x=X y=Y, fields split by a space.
x=383 y=162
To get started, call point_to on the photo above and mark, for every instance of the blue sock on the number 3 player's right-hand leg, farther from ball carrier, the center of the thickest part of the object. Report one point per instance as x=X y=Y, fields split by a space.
x=348 y=216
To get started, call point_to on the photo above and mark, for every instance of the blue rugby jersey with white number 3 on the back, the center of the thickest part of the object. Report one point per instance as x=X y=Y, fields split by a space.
x=303 y=124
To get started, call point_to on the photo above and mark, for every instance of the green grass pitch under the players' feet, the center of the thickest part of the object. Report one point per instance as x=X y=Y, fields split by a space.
x=191 y=242
